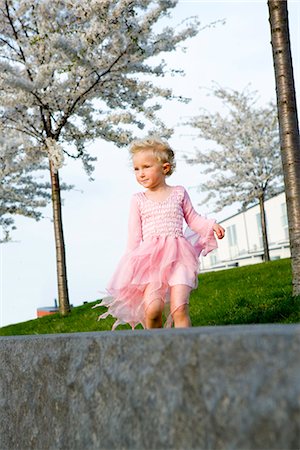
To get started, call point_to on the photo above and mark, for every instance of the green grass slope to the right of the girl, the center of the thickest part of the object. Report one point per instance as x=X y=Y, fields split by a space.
x=260 y=293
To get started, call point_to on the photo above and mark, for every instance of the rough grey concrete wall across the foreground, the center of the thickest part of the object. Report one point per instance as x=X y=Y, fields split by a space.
x=201 y=388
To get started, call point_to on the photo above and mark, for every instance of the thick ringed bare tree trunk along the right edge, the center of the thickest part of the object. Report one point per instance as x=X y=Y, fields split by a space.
x=288 y=126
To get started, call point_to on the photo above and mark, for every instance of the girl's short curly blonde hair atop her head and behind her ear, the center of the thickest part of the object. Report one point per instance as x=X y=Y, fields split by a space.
x=160 y=148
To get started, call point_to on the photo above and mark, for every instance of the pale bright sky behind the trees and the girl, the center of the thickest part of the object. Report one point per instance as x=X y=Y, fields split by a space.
x=234 y=55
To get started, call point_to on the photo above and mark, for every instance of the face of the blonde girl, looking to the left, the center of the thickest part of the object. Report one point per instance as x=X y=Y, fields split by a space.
x=149 y=172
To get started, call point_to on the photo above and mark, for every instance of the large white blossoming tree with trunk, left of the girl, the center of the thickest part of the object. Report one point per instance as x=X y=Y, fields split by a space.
x=75 y=70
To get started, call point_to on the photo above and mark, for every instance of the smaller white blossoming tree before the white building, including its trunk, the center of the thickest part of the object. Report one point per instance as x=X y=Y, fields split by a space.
x=245 y=162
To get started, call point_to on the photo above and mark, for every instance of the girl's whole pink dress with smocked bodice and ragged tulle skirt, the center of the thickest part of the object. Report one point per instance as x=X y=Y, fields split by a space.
x=158 y=255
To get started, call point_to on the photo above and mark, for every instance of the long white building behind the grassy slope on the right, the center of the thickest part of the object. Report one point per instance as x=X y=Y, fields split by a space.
x=243 y=243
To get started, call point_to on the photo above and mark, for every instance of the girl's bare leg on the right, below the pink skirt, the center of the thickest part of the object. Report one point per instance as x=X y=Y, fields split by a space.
x=179 y=305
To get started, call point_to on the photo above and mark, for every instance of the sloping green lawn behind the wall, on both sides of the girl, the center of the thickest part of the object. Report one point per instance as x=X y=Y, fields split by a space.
x=260 y=293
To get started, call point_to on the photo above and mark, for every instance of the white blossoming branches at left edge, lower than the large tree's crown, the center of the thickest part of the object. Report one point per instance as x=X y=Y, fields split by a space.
x=20 y=192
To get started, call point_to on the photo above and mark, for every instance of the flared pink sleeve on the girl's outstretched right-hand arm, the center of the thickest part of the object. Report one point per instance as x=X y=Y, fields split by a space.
x=202 y=235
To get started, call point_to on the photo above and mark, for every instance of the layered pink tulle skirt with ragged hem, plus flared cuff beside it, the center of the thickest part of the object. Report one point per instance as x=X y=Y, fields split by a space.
x=159 y=262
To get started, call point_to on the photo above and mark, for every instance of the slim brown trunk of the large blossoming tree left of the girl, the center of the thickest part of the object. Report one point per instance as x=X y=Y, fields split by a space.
x=63 y=296
